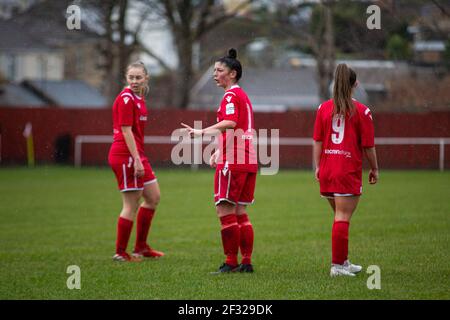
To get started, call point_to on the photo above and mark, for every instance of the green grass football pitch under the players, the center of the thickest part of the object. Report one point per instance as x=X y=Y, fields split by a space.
x=53 y=217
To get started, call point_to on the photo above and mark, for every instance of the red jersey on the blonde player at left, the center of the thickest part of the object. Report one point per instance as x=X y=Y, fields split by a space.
x=128 y=110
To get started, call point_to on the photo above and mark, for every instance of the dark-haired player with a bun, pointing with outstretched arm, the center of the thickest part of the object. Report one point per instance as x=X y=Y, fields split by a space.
x=236 y=164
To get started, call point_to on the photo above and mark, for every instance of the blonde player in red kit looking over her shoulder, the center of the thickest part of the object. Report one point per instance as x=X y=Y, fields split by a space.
x=133 y=171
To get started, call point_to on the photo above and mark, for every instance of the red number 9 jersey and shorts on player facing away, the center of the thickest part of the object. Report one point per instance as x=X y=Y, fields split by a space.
x=343 y=140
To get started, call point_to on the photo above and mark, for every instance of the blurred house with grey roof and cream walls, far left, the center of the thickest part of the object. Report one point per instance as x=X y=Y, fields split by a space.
x=36 y=44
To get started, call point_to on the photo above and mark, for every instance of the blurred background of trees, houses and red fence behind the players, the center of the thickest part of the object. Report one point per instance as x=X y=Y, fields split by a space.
x=58 y=80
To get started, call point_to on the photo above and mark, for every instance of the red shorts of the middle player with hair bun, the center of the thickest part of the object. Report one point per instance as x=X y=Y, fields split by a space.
x=235 y=187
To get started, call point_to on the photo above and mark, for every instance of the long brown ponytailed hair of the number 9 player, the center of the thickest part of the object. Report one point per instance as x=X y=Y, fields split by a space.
x=344 y=81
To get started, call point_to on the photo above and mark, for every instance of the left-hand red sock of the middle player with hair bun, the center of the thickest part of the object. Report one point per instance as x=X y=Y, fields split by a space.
x=230 y=238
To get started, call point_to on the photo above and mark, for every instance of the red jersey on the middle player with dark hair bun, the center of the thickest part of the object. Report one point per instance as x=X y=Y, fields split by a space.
x=236 y=146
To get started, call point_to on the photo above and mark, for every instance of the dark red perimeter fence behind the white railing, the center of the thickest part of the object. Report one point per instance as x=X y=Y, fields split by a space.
x=55 y=131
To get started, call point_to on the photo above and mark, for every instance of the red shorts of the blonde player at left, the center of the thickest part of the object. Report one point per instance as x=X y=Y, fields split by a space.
x=123 y=168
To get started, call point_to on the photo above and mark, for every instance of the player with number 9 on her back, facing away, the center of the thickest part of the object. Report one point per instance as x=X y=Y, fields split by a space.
x=343 y=132
